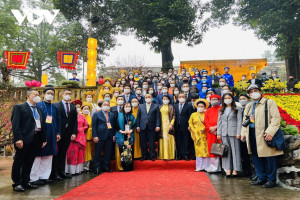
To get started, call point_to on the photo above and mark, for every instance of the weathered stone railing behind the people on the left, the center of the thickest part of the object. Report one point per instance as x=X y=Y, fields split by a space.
x=19 y=93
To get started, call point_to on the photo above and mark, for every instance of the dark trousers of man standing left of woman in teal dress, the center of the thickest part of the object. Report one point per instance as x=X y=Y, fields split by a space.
x=105 y=146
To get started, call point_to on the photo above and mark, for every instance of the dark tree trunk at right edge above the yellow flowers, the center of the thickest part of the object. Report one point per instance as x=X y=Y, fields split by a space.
x=292 y=60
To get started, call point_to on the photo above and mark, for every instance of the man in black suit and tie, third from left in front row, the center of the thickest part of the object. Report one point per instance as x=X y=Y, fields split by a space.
x=69 y=128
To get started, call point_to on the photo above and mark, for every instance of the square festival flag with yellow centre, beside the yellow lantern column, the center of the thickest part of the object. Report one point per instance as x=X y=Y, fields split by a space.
x=67 y=59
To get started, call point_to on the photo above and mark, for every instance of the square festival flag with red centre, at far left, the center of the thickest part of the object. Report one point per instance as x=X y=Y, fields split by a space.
x=16 y=59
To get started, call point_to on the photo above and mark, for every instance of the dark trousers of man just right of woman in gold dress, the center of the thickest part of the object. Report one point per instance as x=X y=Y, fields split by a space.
x=182 y=142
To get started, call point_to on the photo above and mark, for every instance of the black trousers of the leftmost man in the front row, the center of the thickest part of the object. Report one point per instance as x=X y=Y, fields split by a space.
x=23 y=162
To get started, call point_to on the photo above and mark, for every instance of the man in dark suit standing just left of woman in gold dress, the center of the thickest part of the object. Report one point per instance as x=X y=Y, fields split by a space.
x=148 y=122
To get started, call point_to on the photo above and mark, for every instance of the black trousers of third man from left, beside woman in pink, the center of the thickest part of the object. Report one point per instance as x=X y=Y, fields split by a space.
x=59 y=160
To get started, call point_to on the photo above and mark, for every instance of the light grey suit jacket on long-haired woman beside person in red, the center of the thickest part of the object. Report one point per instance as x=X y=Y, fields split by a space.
x=231 y=124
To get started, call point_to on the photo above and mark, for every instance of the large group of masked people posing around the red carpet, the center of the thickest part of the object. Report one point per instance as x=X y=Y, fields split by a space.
x=180 y=113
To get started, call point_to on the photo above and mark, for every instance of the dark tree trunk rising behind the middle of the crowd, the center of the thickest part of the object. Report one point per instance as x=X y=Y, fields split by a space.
x=167 y=56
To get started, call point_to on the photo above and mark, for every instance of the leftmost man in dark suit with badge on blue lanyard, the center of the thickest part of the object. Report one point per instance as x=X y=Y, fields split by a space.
x=29 y=131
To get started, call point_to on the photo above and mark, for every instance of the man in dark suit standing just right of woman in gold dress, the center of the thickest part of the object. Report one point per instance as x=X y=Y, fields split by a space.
x=183 y=113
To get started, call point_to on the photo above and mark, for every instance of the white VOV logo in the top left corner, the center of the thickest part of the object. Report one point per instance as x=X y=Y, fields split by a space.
x=41 y=15
